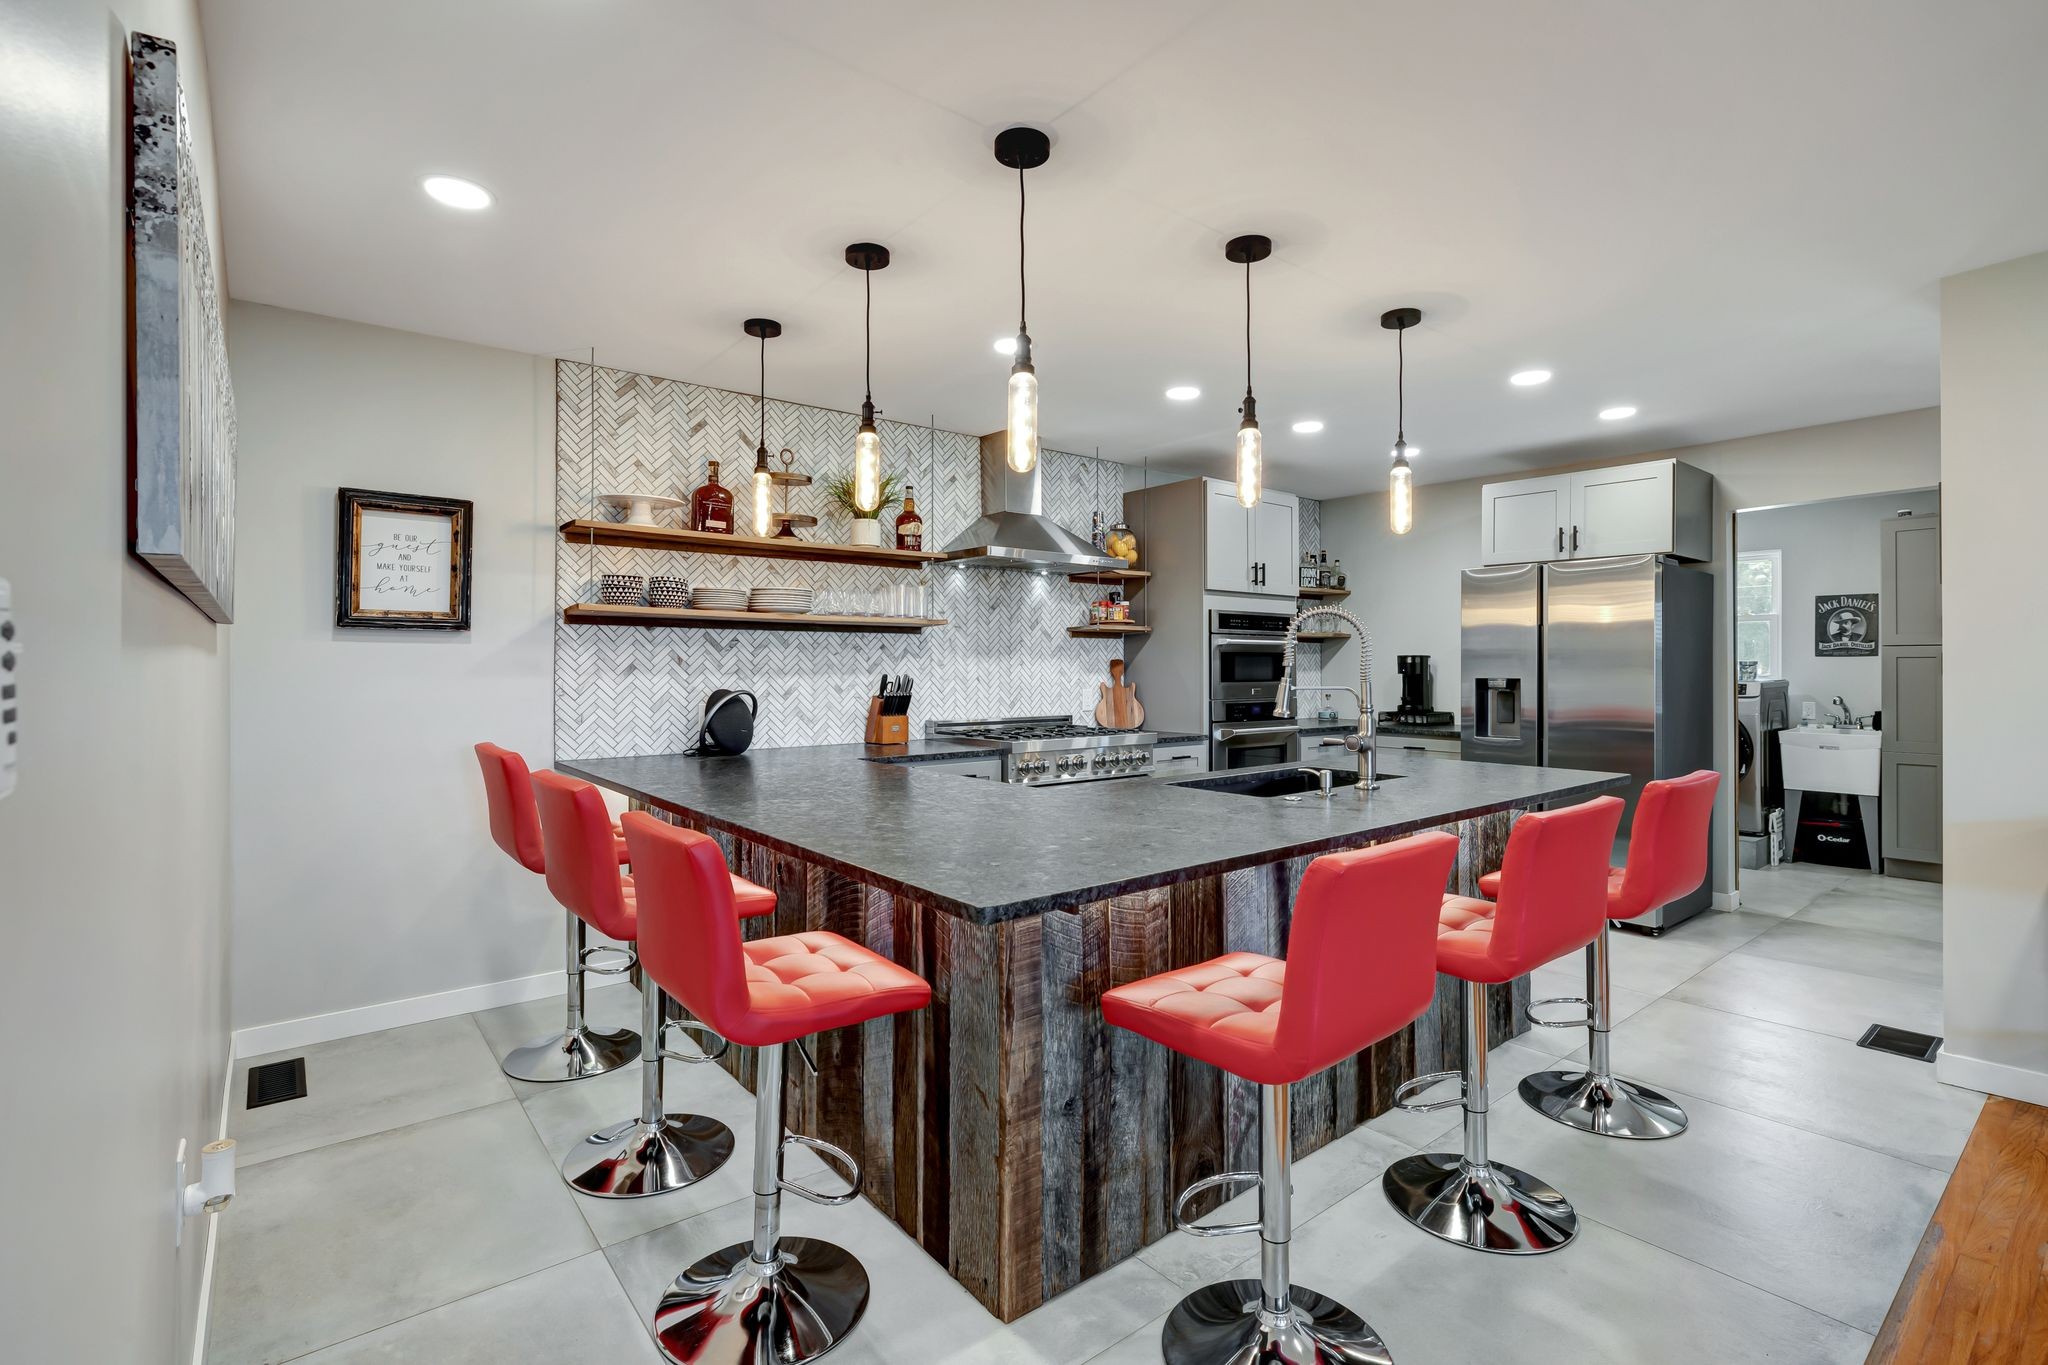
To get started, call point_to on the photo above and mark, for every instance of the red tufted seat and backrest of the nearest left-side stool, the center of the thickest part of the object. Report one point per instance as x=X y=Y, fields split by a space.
x=757 y=994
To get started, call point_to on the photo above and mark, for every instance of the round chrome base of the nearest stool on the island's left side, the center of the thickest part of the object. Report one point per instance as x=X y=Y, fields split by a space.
x=732 y=1311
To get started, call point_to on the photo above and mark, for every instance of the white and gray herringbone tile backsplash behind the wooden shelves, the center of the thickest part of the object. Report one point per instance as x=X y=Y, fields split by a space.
x=636 y=691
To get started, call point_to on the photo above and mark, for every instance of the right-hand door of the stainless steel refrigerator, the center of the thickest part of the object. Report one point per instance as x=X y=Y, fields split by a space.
x=1601 y=668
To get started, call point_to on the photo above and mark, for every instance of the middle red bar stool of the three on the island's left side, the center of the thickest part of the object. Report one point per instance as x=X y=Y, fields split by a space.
x=654 y=1153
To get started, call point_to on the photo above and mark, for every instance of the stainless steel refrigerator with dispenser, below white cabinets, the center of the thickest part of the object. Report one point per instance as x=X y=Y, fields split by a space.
x=1592 y=664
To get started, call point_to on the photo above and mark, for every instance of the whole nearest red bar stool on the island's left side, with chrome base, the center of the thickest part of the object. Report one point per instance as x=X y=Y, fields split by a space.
x=773 y=1301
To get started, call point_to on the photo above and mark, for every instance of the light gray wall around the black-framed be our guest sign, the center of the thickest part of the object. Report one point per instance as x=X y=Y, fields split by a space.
x=364 y=867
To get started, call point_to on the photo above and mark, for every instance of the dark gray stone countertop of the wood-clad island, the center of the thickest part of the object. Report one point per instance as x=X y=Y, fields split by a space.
x=992 y=852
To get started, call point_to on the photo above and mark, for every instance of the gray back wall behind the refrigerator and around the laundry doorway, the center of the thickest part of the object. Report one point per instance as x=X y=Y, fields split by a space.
x=1412 y=582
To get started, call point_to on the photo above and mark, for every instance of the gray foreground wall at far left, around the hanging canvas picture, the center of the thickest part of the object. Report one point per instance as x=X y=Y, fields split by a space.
x=114 y=848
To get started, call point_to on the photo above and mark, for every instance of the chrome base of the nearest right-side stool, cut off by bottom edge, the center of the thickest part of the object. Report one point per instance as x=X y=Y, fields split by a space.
x=1224 y=1325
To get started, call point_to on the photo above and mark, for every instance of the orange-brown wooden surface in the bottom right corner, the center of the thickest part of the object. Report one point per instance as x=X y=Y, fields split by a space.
x=1977 y=1290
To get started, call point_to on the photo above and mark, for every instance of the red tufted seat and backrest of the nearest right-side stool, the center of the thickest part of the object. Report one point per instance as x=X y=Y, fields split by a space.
x=1365 y=969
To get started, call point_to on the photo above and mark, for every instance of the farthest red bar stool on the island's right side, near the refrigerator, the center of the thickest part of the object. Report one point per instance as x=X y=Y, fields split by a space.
x=1666 y=861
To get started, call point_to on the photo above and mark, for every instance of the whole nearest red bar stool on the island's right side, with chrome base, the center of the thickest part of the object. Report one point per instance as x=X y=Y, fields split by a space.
x=1361 y=967
